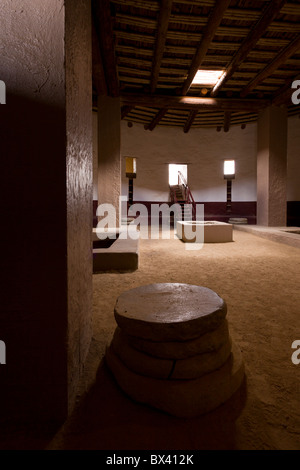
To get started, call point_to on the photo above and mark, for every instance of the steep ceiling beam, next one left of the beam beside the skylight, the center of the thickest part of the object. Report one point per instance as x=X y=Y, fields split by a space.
x=163 y=23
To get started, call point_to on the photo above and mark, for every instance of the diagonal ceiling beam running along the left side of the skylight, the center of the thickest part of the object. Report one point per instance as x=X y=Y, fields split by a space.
x=207 y=37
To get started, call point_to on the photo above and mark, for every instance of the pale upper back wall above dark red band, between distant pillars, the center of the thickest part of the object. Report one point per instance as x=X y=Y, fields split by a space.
x=204 y=150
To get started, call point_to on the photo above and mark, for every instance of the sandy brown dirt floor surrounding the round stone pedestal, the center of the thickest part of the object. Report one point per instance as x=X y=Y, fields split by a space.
x=259 y=280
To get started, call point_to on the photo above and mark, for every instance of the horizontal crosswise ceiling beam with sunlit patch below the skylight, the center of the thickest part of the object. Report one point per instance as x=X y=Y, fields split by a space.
x=191 y=102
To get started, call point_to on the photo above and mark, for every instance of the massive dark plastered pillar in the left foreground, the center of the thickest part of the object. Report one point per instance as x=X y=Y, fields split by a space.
x=46 y=150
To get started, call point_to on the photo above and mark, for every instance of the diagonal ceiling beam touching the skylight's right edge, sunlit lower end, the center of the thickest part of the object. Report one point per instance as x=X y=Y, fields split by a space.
x=249 y=42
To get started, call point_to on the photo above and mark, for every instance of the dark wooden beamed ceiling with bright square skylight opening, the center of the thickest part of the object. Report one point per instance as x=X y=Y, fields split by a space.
x=147 y=52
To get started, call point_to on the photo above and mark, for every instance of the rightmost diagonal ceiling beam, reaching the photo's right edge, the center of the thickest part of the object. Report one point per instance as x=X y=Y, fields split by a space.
x=279 y=60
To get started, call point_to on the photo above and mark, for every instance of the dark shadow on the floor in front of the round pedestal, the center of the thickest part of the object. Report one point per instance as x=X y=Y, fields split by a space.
x=107 y=419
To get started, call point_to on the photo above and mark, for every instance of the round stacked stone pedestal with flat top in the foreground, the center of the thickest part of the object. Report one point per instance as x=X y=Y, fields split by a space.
x=172 y=349
